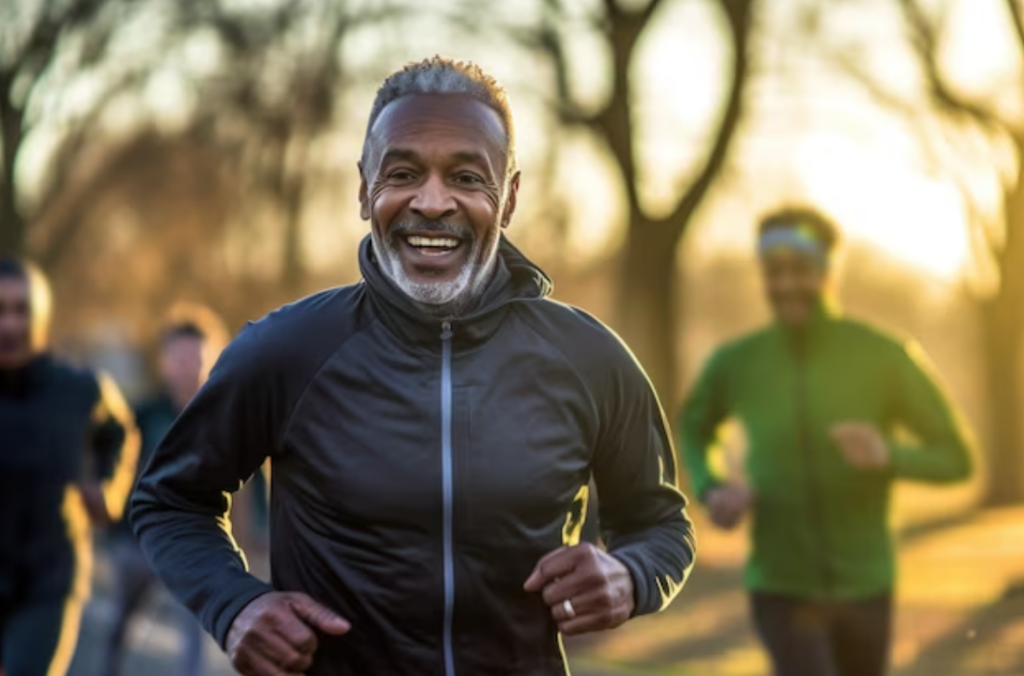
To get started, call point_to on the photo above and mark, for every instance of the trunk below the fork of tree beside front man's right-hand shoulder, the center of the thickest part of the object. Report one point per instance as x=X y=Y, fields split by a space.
x=648 y=308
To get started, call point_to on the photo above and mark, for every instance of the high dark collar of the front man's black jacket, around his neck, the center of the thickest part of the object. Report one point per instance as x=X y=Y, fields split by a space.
x=516 y=280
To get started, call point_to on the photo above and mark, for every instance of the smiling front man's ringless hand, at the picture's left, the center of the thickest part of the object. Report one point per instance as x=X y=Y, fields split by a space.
x=276 y=636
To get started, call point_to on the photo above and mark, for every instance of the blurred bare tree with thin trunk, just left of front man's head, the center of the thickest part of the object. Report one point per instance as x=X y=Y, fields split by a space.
x=277 y=95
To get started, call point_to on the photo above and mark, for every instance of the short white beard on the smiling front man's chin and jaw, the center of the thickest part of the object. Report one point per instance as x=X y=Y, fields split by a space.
x=448 y=298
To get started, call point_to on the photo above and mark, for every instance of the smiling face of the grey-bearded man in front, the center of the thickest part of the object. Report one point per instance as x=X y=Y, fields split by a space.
x=436 y=191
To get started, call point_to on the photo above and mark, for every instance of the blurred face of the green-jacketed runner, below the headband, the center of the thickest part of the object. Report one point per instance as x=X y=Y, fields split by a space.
x=795 y=283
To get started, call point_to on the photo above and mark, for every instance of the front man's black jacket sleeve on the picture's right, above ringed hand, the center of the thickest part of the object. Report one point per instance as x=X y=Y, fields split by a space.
x=643 y=512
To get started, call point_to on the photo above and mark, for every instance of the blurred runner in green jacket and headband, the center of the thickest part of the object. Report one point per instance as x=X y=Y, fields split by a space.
x=822 y=398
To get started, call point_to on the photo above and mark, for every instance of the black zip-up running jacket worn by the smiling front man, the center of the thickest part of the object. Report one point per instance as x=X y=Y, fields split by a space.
x=421 y=469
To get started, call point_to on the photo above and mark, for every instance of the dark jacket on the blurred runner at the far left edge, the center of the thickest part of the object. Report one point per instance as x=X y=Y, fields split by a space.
x=60 y=427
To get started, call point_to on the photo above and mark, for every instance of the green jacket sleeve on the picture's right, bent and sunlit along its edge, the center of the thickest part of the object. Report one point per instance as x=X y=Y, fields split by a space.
x=943 y=449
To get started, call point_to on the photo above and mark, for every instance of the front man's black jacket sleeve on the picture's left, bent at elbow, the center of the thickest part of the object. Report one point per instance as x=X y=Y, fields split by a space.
x=181 y=510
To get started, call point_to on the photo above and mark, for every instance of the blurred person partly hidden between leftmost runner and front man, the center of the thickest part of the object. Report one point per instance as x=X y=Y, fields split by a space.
x=190 y=343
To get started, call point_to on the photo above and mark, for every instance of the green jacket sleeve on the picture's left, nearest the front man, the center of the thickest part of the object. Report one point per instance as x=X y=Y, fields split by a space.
x=705 y=411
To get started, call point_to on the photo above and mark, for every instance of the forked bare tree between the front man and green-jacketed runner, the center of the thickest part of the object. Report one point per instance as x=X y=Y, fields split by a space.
x=649 y=303
